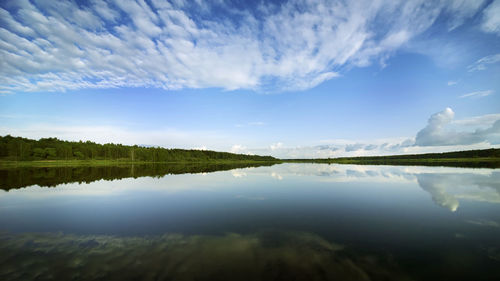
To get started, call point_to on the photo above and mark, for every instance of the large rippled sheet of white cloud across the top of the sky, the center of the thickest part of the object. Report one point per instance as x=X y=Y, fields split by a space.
x=61 y=45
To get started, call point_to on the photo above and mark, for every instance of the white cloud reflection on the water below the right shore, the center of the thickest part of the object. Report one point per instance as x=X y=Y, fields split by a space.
x=445 y=185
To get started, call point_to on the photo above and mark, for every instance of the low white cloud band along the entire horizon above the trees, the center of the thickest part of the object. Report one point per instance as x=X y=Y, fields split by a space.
x=443 y=133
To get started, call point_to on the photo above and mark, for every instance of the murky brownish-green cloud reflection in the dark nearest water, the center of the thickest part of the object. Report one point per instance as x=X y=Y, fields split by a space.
x=267 y=255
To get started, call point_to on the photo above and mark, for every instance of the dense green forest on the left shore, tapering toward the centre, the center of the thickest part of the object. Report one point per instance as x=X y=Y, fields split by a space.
x=23 y=149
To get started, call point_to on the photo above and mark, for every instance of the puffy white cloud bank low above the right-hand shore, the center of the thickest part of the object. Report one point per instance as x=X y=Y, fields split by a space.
x=441 y=134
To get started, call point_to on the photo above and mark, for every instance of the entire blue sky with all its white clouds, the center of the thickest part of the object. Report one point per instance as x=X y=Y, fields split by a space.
x=292 y=79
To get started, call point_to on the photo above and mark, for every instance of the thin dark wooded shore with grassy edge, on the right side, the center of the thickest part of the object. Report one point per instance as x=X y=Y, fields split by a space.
x=485 y=158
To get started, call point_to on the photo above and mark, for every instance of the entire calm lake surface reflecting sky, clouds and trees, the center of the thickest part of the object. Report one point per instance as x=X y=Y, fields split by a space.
x=281 y=222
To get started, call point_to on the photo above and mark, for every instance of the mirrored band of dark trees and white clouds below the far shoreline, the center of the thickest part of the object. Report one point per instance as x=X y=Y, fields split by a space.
x=446 y=186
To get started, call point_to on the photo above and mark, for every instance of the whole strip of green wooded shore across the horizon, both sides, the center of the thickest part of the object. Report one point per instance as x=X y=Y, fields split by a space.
x=51 y=152
